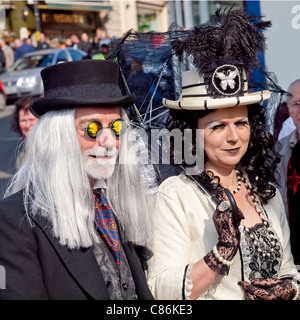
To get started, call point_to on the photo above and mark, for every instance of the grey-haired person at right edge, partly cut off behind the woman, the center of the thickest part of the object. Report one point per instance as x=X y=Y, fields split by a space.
x=285 y=145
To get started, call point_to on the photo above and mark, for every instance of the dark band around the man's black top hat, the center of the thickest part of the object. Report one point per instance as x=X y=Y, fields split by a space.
x=85 y=91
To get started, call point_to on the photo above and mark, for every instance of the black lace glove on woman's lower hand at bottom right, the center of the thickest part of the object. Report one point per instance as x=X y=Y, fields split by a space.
x=269 y=289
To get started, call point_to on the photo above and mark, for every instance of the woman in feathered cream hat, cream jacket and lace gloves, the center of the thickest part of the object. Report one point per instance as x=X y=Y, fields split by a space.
x=240 y=247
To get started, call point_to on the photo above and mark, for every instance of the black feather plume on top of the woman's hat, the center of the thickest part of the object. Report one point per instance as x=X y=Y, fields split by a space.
x=234 y=37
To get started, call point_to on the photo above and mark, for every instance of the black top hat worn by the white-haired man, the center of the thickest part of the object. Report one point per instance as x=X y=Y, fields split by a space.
x=79 y=84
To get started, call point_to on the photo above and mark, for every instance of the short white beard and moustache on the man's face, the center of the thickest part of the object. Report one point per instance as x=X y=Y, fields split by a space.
x=100 y=163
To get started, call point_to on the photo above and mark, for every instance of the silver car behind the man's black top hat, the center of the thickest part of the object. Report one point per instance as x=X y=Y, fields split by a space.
x=24 y=79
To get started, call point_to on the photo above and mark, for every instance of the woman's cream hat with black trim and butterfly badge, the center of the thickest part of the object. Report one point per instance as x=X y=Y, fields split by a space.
x=194 y=95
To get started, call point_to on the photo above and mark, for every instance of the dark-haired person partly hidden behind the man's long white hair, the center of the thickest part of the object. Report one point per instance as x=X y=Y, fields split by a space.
x=22 y=122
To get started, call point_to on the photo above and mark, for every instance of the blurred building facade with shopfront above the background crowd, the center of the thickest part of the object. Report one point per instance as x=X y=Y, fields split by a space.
x=63 y=18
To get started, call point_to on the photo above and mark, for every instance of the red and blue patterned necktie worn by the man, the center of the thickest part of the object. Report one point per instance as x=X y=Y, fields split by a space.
x=106 y=224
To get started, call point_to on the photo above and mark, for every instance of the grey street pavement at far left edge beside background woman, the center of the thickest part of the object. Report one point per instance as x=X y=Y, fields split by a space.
x=8 y=147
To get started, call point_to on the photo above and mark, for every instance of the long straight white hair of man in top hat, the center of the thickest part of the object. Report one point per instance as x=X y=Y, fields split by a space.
x=56 y=186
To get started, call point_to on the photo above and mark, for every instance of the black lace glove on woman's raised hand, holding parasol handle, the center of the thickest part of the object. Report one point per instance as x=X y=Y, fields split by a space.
x=226 y=223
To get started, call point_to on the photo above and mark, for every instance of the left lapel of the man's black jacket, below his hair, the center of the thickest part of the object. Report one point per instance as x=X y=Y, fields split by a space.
x=81 y=263
